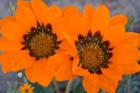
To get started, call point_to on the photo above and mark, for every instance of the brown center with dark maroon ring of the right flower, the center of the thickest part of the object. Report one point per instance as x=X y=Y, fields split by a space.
x=94 y=53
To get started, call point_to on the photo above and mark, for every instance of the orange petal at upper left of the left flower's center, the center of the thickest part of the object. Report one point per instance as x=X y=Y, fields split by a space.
x=29 y=19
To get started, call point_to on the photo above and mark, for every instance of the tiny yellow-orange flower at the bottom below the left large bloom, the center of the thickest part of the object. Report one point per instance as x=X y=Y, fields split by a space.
x=26 y=88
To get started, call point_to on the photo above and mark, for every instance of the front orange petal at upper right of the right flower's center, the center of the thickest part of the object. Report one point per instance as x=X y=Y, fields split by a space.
x=114 y=35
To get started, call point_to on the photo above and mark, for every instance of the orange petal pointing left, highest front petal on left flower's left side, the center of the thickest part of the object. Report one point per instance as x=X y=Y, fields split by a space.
x=13 y=31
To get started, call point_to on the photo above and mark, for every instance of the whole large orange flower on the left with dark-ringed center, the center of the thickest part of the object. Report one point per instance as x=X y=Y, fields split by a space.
x=32 y=41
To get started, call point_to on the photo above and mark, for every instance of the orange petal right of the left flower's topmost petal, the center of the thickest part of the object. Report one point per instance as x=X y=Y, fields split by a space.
x=54 y=17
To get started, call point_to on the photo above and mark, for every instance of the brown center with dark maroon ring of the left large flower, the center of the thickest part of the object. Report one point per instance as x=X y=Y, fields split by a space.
x=41 y=42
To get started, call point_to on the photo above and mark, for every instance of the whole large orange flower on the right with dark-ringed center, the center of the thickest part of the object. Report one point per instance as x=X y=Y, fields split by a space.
x=101 y=49
